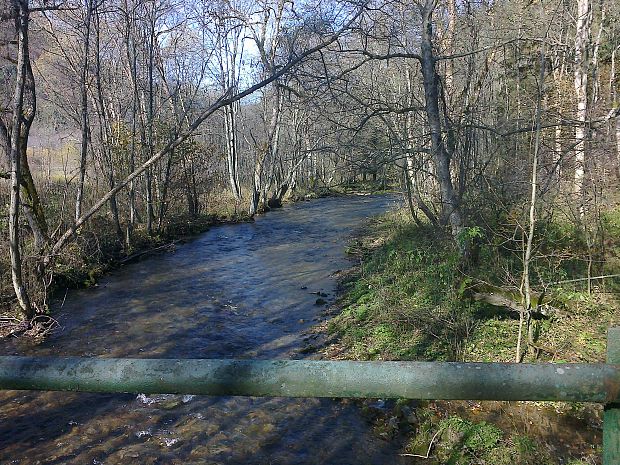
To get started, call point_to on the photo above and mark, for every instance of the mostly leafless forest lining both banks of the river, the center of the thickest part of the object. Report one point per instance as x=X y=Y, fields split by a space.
x=127 y=125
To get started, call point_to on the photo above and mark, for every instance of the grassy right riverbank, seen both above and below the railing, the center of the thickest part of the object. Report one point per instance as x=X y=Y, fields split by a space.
x=407 y=300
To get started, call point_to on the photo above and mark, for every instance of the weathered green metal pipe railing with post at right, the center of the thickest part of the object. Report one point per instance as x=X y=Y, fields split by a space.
x=306 y=378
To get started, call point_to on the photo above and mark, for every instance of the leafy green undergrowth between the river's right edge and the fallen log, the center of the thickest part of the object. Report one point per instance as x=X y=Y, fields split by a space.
x=402 y=305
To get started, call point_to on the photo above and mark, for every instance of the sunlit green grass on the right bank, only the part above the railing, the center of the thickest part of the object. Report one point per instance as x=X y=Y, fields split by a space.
x=408 y=300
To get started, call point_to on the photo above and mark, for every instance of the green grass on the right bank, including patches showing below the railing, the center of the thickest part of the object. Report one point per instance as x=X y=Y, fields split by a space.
x=408 y=300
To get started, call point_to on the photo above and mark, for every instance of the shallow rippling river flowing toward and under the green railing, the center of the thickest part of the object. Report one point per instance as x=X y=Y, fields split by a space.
x=237 y=291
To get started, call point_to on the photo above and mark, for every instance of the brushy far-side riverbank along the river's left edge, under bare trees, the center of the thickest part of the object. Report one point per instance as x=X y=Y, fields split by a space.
x=98 y=249
